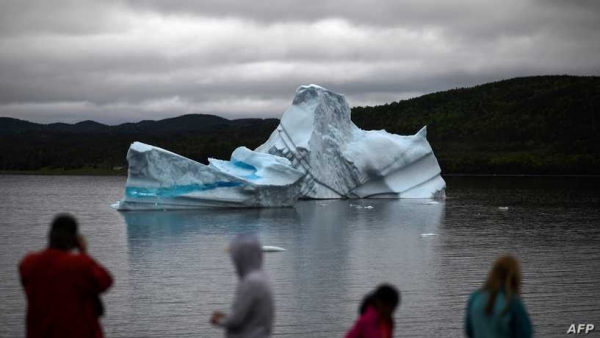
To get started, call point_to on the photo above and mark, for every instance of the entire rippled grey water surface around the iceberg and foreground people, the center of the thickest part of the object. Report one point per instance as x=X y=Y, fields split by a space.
x=171 y=270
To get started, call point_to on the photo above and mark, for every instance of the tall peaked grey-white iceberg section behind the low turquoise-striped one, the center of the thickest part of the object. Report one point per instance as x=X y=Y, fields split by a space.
x=340 y=160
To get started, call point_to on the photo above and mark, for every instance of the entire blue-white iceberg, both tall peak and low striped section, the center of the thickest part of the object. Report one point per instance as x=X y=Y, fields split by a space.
x=315 y=152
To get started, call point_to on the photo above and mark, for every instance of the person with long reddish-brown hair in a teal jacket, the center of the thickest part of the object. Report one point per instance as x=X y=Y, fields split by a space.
x=496 y=310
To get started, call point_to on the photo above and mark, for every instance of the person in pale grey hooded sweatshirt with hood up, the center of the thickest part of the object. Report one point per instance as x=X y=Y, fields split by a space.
x=253 y=310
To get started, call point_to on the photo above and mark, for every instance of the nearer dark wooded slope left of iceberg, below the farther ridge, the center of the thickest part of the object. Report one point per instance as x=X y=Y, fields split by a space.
x=49 y=150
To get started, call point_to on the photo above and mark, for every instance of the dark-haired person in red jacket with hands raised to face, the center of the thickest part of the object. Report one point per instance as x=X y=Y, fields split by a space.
x=63 y=286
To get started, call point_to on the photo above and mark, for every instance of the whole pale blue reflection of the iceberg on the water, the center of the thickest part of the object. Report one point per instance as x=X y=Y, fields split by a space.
x=334 y=254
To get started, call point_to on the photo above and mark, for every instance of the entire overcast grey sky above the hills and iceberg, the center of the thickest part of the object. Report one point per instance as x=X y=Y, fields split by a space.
x=126 y=61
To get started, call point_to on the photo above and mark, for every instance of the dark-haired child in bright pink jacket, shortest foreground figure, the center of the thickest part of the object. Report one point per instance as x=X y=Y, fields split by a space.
x=376 y=314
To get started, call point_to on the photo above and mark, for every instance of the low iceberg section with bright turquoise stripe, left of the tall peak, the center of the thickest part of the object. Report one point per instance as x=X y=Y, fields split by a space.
x=159 y=180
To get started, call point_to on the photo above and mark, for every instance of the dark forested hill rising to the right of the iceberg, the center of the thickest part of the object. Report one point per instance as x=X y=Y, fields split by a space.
x=530 y=125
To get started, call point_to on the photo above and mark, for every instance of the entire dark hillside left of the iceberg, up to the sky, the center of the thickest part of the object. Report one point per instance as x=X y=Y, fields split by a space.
x=30 y=146
